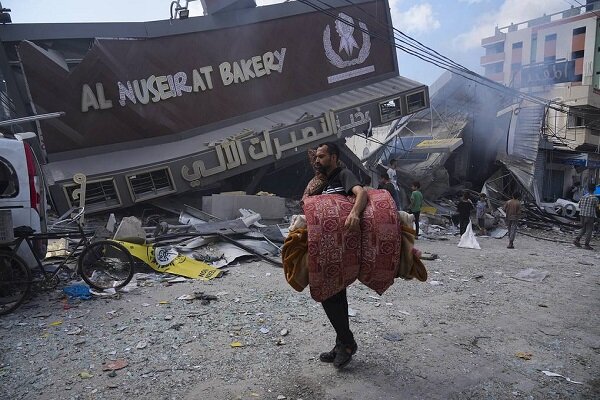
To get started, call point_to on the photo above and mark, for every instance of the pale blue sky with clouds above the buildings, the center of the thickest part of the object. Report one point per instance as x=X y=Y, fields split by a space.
x=453 y=28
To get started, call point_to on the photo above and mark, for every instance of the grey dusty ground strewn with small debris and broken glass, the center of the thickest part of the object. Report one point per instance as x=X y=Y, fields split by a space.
x=457 y=340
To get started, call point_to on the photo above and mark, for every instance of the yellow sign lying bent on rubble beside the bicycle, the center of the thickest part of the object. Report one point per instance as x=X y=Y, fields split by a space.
x=181 y=265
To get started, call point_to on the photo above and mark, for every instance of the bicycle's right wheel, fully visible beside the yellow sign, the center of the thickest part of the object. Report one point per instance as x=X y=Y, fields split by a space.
x=106 y=264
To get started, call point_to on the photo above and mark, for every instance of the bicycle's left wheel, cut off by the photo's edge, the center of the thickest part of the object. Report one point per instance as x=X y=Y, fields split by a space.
x=15 y=281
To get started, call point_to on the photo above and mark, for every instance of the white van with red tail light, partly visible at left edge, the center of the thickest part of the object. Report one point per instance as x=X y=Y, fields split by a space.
x=22 y=192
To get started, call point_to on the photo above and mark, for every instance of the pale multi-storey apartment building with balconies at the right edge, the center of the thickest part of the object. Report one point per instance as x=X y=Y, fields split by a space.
x=555 y=57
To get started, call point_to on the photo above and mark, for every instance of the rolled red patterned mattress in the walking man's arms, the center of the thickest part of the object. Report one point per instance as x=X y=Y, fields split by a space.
x=337 y=257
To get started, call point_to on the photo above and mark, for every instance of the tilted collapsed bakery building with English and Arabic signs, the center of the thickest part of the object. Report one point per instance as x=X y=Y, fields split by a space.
x=227 y=101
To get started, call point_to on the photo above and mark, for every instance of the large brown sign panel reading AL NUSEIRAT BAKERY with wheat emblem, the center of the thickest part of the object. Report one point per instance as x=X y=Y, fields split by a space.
x=128 y=90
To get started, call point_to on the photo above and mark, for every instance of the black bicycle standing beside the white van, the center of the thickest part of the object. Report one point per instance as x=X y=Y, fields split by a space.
x=102 y=264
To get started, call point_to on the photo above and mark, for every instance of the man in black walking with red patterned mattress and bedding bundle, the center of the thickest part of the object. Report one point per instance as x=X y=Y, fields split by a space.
x=346 y=234
